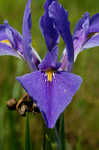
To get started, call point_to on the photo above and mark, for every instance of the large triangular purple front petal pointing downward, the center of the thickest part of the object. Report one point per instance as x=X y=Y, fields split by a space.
x=51 y=97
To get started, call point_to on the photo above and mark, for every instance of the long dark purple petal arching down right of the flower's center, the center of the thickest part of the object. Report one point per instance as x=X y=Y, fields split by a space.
x=60 y=16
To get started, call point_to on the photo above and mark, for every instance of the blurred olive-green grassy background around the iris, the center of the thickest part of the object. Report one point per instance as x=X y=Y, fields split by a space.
x=82 y=115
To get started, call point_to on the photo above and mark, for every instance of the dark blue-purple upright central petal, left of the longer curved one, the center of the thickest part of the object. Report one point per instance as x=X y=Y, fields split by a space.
x=49 y=32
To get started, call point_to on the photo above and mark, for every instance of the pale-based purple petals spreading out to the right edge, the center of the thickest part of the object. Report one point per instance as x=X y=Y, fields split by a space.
x=86 y=34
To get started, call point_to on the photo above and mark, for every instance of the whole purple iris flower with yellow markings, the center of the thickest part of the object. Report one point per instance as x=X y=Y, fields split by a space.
x=50 y=84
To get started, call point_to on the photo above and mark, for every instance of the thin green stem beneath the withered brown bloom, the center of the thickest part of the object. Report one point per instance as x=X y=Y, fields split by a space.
x=27 y=133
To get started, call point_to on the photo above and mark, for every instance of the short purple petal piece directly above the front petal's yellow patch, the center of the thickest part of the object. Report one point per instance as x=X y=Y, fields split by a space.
x=50 y=60
